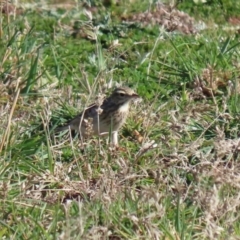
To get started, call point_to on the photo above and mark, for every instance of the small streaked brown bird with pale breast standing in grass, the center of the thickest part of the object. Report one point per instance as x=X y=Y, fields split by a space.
x=103 y=118
